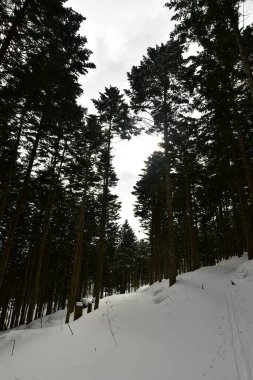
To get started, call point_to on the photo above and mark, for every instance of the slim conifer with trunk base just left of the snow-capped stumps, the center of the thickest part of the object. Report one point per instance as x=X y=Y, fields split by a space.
x=85 y=148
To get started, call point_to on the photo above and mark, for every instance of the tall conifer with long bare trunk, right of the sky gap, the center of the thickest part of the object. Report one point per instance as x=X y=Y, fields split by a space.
x=154 y=85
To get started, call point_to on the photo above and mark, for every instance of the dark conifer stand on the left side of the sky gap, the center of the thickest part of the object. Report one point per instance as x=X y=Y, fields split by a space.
x=58 y=218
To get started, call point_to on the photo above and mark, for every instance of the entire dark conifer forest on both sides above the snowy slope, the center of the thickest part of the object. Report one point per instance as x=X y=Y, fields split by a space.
x=60 y=237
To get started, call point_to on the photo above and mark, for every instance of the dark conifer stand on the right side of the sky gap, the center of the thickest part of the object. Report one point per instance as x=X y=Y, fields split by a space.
x=195 y=197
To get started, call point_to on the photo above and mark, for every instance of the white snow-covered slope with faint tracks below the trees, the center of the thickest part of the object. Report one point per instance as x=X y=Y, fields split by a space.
x=201 y=328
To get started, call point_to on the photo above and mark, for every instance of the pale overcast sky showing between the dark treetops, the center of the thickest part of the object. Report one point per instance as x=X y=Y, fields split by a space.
x=119 y=33
